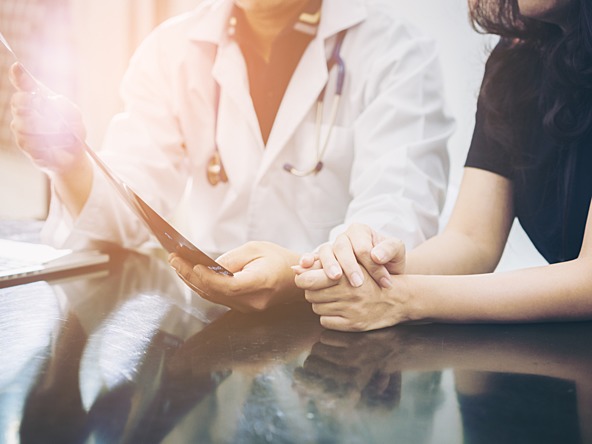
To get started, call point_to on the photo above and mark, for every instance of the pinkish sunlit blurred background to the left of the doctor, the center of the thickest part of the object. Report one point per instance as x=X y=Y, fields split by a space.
x=78 y=48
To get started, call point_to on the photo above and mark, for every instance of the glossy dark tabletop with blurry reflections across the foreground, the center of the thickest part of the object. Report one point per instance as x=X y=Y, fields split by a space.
x=132 y=355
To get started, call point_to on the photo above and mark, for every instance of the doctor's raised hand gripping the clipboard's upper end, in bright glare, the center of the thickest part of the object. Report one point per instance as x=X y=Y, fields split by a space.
x=46 y=126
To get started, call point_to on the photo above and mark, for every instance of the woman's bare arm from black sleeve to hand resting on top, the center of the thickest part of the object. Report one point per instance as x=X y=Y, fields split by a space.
x=472 y=242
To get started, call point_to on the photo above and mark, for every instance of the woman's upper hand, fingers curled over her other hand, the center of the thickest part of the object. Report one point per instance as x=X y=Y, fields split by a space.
x=358 y=247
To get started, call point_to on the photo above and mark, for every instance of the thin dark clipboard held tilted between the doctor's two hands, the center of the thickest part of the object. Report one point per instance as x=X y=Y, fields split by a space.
x=170 y=239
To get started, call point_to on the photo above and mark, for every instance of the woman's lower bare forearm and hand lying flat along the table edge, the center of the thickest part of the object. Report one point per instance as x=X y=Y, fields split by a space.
x=557 y=292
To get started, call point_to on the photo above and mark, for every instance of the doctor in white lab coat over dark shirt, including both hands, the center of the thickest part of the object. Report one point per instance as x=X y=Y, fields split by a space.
x=290 y=119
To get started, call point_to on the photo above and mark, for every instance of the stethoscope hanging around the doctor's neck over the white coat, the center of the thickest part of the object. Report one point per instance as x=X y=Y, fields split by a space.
x=215 y=169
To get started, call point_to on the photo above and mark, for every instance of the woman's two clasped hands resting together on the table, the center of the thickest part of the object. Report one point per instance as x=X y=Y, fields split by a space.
x=357 y=283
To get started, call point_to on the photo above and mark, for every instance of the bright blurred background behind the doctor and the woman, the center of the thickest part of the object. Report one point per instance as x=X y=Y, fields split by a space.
x=81 y=48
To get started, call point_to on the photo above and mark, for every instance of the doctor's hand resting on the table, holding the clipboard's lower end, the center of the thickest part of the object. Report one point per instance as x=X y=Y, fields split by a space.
x=262 y=277
